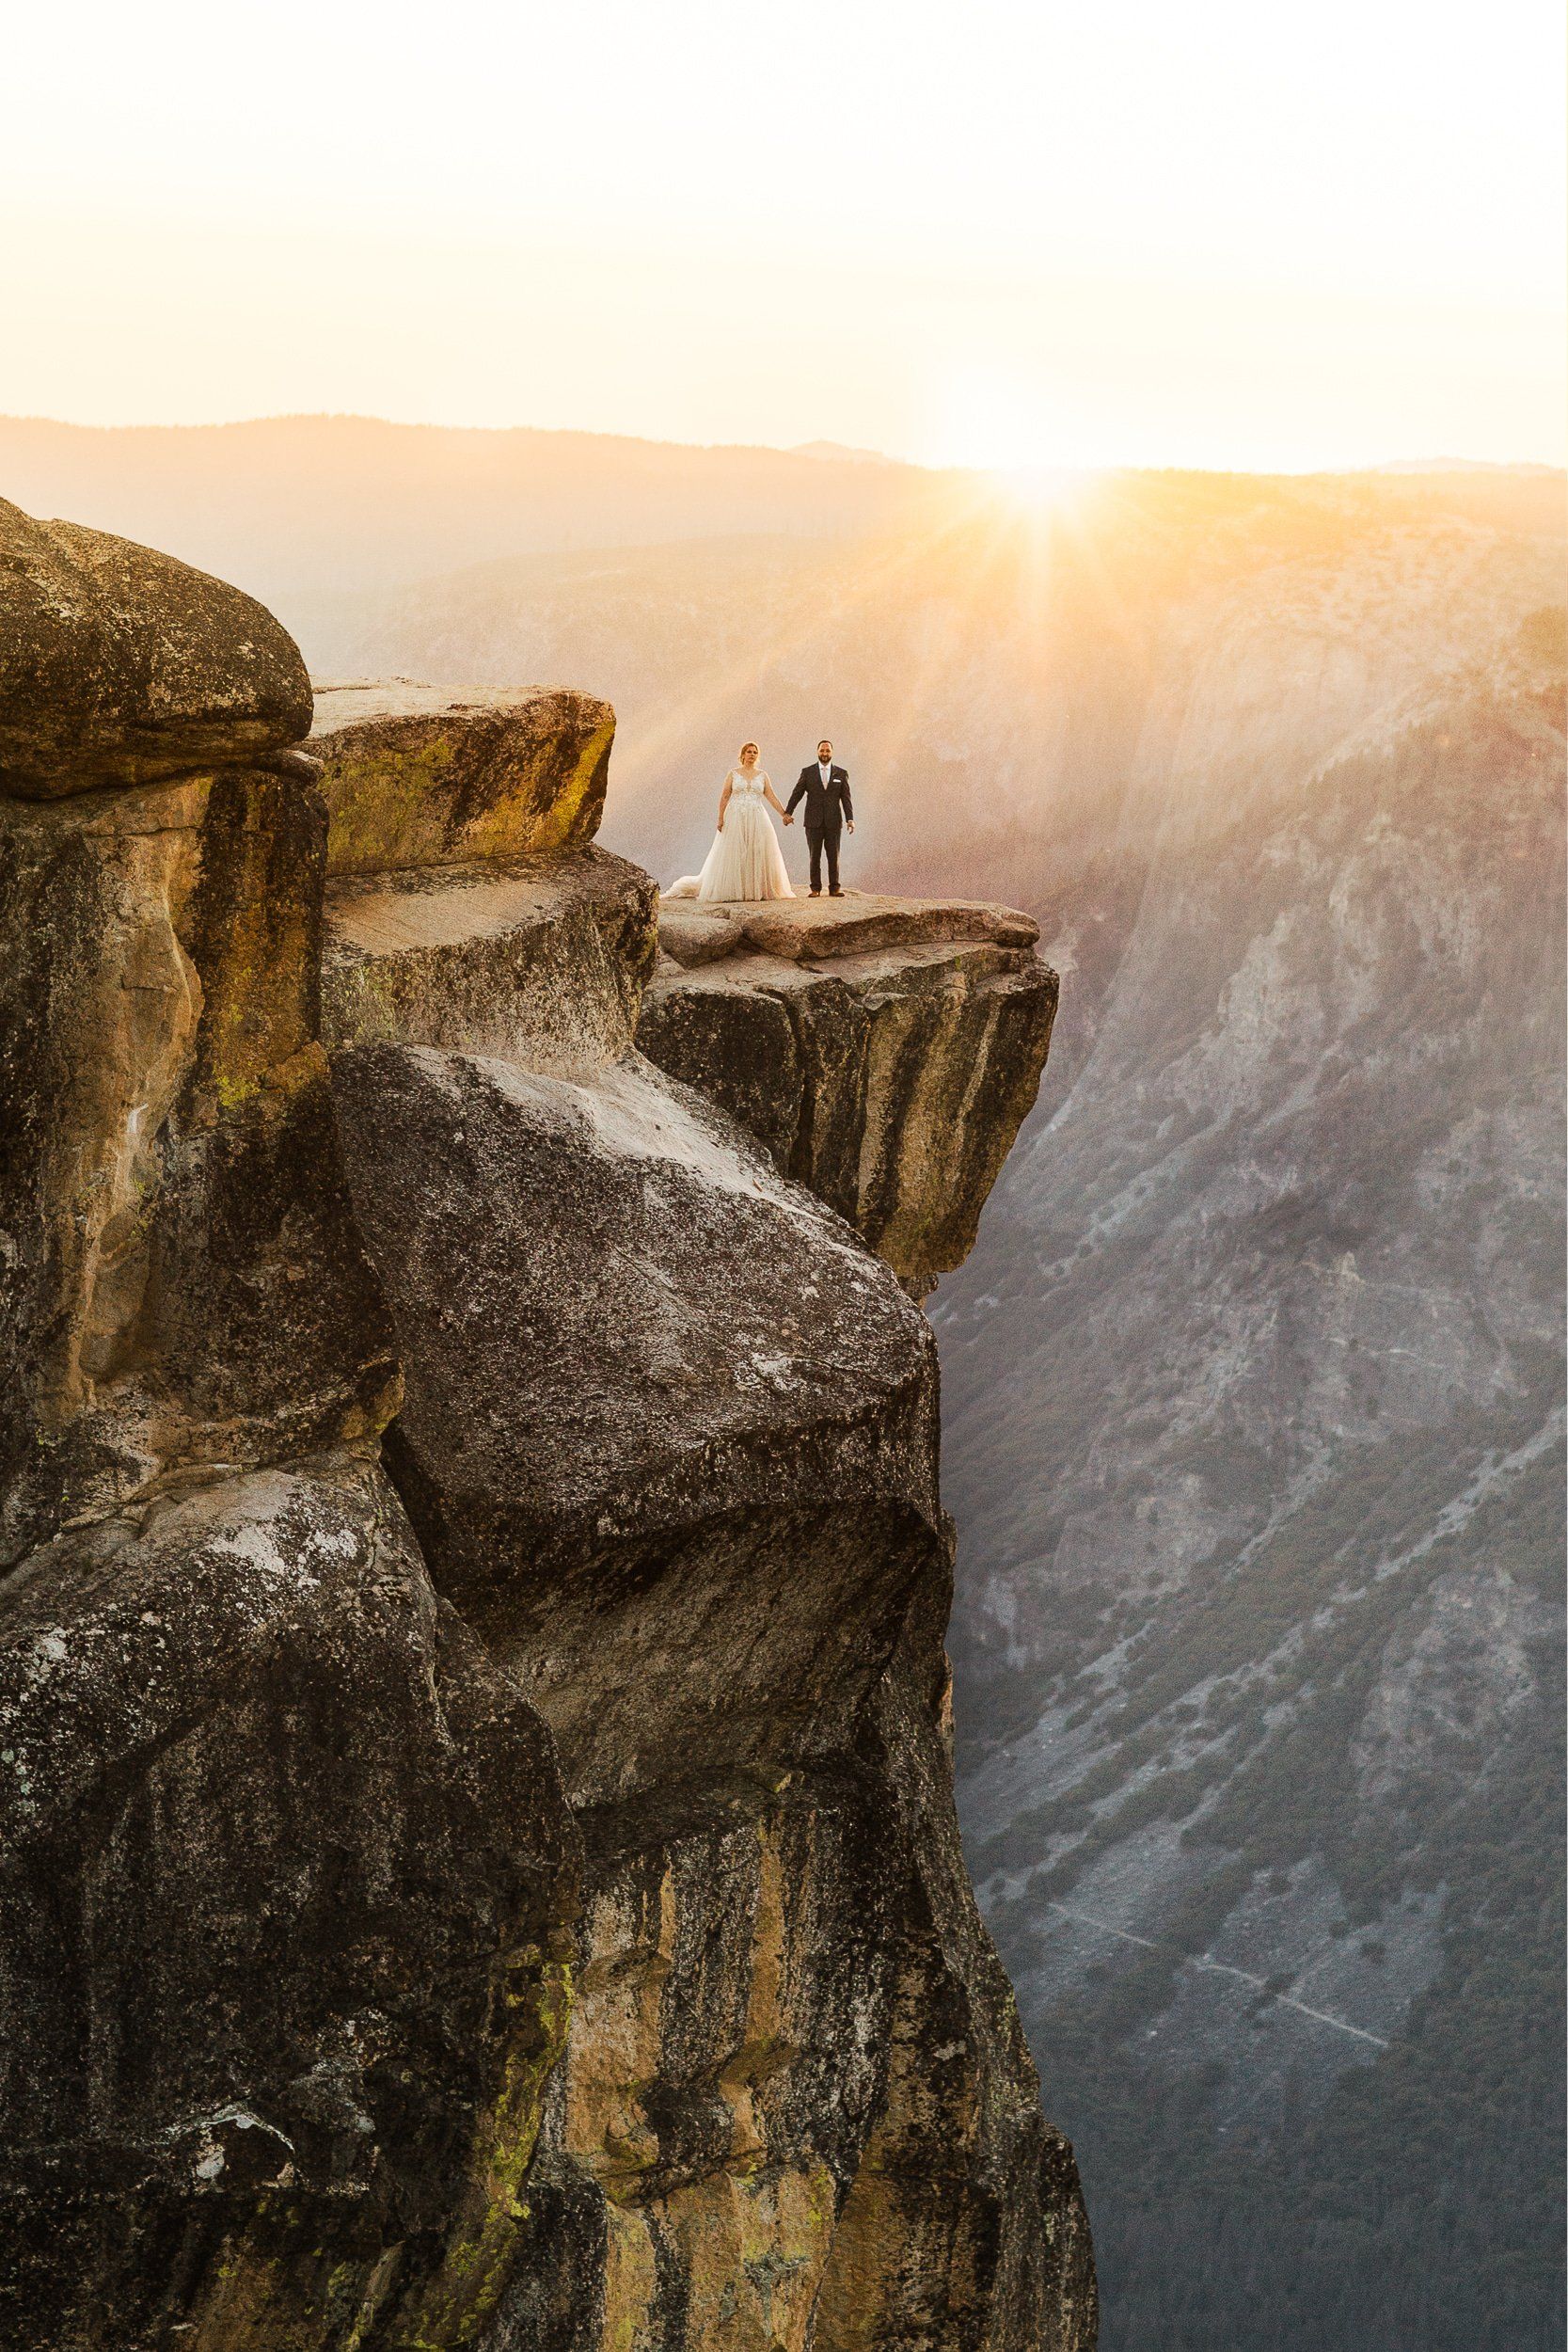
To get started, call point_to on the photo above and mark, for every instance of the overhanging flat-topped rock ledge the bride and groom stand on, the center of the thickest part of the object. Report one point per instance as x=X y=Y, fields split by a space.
x=885 y=1050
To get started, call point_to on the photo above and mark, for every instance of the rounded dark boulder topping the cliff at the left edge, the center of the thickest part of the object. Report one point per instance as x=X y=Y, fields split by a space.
x=121 y=664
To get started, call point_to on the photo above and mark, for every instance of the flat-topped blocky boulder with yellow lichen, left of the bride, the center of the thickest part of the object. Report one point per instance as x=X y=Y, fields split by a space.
x=464 y=782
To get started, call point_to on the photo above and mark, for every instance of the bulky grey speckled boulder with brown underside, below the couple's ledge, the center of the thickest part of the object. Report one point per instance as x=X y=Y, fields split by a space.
x=669 y=1431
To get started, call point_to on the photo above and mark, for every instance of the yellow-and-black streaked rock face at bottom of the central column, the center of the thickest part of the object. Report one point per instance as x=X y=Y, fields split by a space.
x=791 y=2113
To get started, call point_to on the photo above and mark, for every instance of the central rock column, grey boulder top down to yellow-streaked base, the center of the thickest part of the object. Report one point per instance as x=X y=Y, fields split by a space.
x=671 y=1445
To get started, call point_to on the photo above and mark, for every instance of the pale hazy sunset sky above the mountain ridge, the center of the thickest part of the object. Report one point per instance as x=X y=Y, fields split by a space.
x=998 y=234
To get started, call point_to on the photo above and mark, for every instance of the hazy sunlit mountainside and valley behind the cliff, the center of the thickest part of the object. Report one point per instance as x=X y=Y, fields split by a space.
x=1254 y=1382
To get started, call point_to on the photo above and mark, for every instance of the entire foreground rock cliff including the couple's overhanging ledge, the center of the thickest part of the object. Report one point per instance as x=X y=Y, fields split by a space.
x=481 y=1859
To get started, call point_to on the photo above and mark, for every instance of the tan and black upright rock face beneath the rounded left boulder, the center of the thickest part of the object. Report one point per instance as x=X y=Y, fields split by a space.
x=185 y=1283
